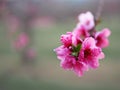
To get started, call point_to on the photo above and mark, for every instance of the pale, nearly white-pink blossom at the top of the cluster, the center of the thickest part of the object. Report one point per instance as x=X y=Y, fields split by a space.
x=87 y=20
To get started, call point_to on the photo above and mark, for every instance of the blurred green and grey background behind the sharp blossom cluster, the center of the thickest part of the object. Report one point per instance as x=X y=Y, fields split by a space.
x=31 y=29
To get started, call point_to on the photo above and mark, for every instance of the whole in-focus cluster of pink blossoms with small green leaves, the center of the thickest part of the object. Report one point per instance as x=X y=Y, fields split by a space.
x=81 y=49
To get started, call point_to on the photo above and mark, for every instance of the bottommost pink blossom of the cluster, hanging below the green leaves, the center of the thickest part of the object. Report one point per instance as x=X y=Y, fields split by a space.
x=70 y=63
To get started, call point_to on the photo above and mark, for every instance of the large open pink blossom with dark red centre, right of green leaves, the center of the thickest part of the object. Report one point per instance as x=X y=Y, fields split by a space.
x=90 y=53
